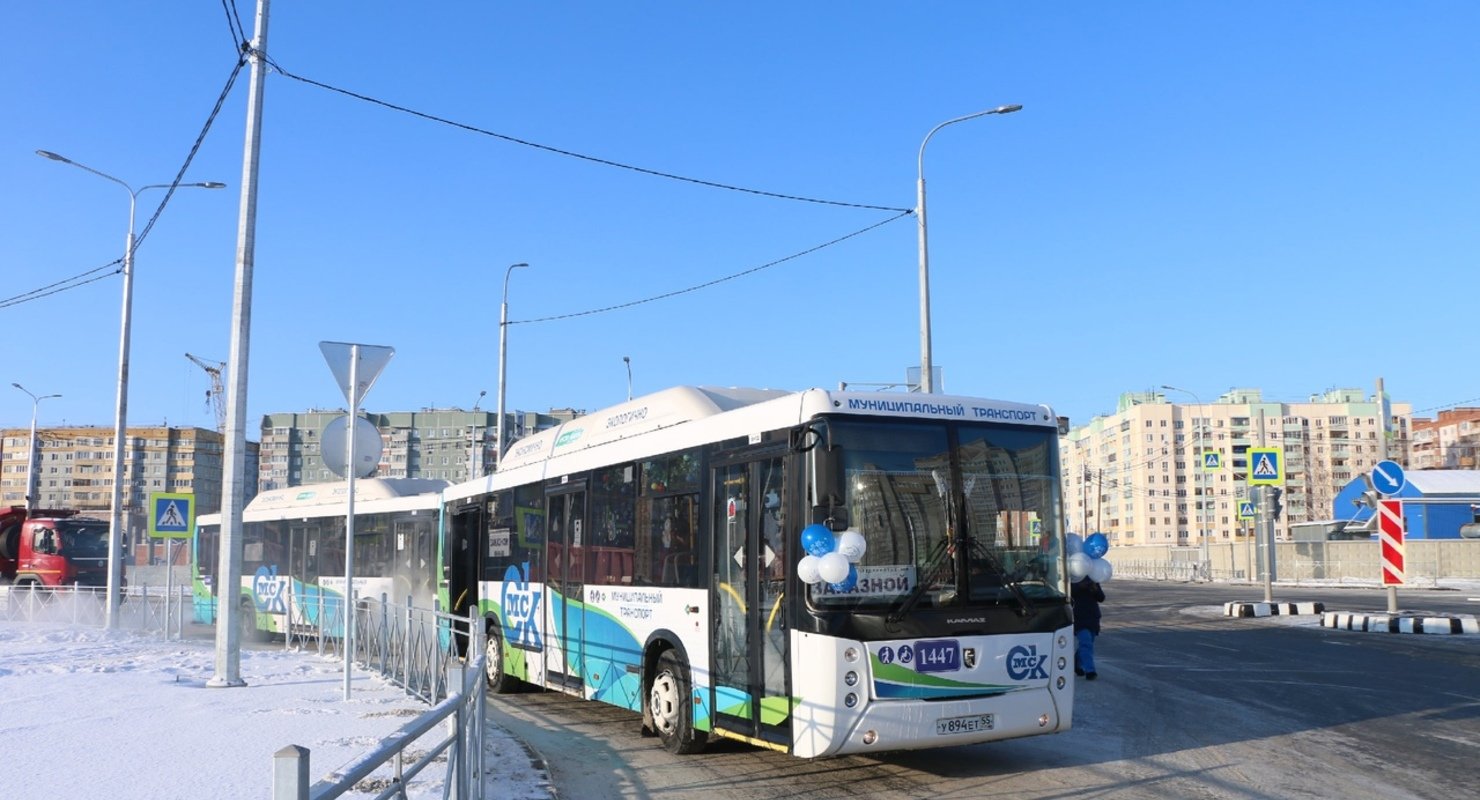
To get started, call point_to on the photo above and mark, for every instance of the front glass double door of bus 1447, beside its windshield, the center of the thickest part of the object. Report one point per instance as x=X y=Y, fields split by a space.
x=750 y=622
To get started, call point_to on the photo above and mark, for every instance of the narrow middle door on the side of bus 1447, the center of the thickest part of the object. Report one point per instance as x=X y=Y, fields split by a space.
x=565 y=604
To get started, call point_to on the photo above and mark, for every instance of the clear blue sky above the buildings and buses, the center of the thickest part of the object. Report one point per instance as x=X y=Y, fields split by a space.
x=1207 y=196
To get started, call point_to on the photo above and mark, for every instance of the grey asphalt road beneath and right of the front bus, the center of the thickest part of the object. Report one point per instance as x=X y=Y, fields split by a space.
x=1189 y=705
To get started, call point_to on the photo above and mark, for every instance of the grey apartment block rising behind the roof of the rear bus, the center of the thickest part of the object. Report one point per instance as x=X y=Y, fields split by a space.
x=448 y=444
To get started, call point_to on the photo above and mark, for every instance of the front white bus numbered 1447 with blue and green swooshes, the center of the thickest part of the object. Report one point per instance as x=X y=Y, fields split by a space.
x=650 y=557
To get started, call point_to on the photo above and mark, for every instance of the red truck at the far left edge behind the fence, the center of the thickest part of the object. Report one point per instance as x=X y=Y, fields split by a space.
x=50 y=548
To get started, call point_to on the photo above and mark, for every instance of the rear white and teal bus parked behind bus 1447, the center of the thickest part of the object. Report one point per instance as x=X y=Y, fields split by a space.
x=294 y=554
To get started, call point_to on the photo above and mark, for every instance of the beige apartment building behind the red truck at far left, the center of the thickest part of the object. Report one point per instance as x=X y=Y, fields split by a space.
x=75 y=471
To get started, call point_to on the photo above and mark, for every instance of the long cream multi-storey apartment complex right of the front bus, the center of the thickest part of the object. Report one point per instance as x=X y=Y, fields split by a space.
x=1139 y=475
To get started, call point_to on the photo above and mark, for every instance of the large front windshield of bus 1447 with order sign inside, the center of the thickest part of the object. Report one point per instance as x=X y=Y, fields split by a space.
x=954 y=514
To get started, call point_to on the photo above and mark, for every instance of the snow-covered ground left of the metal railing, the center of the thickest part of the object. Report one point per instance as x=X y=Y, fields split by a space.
x=113 y=715
